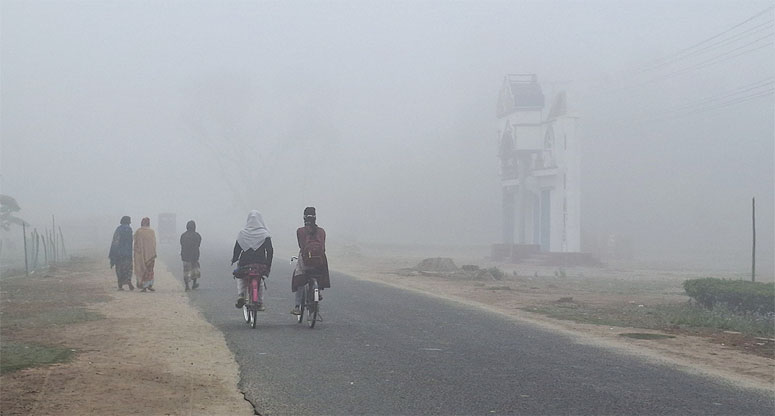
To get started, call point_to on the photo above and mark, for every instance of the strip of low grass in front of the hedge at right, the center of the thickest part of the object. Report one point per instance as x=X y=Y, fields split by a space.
x=661 y=317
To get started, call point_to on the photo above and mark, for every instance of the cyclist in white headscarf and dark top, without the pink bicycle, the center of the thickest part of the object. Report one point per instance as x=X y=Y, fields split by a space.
x=253 y=246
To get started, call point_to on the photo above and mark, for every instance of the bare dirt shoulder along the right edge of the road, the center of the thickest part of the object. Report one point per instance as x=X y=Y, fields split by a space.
x=693 y=354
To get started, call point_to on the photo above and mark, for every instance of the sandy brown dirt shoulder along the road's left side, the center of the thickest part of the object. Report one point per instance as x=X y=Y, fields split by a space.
x=150 y=354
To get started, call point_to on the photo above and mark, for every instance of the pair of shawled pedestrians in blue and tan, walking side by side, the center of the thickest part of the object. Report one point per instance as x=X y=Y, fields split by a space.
x=141 y=248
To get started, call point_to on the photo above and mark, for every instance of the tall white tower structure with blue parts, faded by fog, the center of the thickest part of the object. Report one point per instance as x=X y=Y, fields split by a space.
x=539 y=168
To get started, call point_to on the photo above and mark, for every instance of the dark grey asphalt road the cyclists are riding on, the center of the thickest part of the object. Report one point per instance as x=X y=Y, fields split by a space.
x=382 y=350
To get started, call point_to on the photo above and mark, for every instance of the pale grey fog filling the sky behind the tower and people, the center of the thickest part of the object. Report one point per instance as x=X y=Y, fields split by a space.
x=382 y=115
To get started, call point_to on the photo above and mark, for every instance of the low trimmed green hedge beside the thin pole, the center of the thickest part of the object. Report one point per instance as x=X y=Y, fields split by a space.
x=738 y=295
